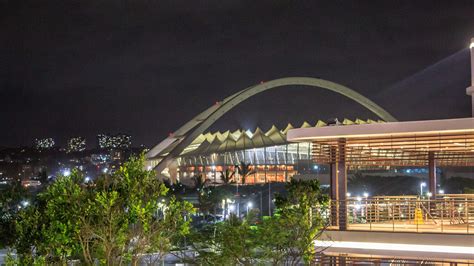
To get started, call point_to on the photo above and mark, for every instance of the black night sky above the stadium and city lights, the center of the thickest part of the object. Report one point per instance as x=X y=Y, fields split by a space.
x=144 y=67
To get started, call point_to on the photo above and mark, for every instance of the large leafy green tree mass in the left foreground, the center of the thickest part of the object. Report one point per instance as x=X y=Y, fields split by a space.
x=115 y=220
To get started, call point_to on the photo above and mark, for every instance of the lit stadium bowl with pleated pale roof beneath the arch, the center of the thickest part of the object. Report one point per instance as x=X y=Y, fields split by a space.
x=271 y=157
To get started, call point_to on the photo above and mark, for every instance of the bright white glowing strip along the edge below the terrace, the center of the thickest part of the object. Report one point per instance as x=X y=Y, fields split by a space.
x=396 y=247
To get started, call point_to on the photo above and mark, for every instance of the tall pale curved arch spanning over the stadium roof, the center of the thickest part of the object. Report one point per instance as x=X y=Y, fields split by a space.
x=180 y=139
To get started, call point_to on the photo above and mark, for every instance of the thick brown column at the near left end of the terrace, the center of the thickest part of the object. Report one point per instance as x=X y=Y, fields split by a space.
x=342 y=183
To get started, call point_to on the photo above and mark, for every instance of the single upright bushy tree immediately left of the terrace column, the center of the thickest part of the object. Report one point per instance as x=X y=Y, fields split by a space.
x=302 y=211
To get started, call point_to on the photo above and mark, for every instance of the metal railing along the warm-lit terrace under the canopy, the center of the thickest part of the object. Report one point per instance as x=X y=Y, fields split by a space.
x=449 y=214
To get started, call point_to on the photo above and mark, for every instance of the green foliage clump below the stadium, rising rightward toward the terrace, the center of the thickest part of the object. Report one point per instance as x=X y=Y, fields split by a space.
x=285 y=238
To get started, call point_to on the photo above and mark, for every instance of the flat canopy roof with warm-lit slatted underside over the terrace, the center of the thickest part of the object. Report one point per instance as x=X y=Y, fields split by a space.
x=450 y=142
